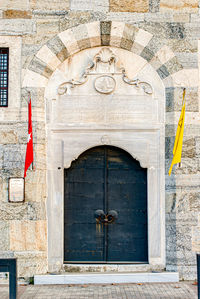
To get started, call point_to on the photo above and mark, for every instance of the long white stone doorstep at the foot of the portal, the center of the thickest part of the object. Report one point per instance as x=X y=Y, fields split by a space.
x=99 y=278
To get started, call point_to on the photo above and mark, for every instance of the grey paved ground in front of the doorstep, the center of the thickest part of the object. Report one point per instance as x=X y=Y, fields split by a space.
x=180 y=290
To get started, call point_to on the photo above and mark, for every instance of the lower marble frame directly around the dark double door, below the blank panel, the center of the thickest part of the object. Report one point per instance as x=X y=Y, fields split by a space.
x=147 y=147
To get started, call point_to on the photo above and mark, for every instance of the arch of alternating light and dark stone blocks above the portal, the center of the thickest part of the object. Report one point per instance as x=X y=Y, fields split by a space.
x=104 y=33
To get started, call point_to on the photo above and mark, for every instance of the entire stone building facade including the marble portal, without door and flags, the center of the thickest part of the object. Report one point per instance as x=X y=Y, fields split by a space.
x=53 y=47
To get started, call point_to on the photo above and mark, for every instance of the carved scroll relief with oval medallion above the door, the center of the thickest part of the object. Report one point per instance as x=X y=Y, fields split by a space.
x=104 y=67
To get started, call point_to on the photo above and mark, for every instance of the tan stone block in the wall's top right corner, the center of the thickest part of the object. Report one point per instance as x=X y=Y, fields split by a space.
x=189 y=6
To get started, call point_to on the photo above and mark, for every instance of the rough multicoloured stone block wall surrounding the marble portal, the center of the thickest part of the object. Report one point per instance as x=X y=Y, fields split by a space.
x=175 y=25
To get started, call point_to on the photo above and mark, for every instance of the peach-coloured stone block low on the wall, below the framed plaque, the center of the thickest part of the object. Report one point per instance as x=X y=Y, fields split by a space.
x=28 y=235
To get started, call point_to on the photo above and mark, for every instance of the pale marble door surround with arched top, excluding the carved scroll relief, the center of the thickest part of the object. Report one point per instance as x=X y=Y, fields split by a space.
x=127 y=119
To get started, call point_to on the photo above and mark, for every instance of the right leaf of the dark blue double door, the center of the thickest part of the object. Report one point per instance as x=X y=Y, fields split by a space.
x=127 y=194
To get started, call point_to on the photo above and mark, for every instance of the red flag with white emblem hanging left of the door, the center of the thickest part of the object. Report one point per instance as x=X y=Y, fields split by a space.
x=29 y=147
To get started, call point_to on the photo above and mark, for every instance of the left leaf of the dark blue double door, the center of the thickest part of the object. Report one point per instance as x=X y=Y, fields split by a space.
x=84 y=193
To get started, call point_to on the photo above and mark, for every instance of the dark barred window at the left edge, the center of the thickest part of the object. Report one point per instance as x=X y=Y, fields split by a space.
x=4 y=53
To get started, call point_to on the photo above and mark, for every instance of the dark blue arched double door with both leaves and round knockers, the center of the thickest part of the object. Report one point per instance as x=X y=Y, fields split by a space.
x=105 y=208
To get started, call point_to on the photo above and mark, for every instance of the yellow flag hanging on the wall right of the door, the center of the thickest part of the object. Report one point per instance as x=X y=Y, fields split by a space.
x=177 y=150
